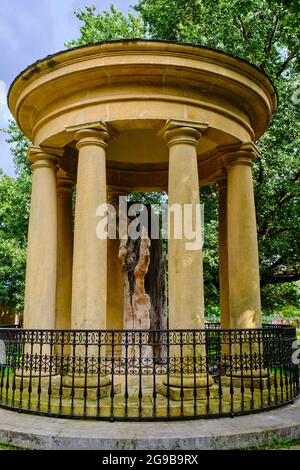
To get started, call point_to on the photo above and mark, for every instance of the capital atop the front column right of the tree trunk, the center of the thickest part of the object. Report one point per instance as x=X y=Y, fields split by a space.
x=181 y=131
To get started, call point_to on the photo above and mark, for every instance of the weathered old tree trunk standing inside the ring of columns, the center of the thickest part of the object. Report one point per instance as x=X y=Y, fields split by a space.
x=143 y=269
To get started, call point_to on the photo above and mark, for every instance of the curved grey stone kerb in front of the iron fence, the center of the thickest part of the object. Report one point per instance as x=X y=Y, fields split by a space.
x=45 y=433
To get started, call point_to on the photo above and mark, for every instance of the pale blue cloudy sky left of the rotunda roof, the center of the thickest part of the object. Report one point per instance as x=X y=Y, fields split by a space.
x=30 y=30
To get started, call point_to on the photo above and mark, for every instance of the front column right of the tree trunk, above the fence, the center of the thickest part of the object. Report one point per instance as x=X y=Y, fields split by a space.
x=186 y=298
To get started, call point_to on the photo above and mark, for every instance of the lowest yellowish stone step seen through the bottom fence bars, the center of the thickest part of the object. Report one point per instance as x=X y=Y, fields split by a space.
x=149 y=406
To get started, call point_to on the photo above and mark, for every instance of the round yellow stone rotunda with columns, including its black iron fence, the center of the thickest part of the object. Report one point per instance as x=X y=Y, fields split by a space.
x=141 y=116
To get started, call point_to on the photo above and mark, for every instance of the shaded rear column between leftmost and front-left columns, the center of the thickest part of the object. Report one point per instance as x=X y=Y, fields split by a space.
x=64 y=251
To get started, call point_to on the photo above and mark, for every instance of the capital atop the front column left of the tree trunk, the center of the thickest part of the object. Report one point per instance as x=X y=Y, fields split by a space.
x=92 y=133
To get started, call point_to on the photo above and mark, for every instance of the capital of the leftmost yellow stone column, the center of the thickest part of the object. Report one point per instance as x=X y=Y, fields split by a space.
x=44 y=157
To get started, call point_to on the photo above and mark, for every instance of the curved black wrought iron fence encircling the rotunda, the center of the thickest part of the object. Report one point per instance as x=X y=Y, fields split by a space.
x=147 y=375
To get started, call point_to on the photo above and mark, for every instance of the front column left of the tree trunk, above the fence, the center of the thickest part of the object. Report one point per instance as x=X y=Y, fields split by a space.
x=89 y=293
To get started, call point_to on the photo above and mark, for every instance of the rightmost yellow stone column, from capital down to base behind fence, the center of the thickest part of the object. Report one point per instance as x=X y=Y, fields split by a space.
x=243 y=272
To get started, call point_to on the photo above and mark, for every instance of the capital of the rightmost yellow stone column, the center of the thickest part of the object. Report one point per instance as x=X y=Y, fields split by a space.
x=241 y=154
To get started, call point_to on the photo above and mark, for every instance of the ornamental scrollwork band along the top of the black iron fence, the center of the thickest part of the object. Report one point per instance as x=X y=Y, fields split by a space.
x=145 y=336
